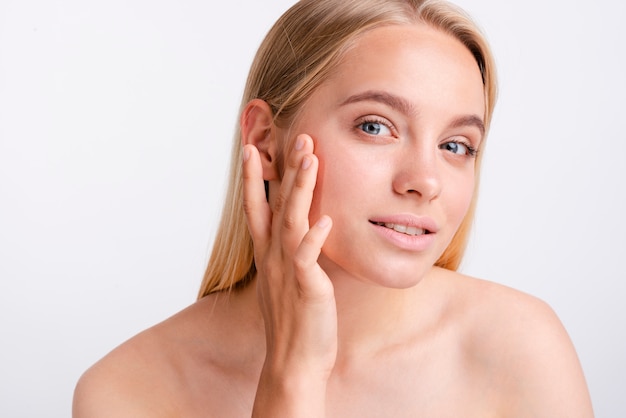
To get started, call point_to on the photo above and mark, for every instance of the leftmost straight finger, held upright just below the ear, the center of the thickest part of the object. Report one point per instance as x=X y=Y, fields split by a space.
x=256 y=209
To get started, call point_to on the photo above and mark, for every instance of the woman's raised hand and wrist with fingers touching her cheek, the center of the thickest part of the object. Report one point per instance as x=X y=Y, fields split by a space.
x=295 y=294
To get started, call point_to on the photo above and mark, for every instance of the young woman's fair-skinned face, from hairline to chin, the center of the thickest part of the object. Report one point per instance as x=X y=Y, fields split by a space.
x=395 y=129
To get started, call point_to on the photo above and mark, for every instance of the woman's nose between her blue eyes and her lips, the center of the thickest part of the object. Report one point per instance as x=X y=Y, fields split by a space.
x=417 y=173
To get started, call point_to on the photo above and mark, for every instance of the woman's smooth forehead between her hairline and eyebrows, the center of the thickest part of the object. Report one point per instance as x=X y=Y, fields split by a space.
x=422 y=64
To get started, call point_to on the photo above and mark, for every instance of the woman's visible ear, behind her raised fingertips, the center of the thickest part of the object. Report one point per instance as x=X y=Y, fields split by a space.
x=257 y=128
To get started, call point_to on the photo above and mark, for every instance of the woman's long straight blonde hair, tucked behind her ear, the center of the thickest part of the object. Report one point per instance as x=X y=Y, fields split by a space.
x=298 y=54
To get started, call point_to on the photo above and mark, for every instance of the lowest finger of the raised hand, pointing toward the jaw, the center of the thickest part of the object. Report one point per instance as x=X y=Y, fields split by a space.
x=313 y=282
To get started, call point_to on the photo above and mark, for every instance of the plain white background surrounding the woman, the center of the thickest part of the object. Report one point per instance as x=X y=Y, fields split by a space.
x=115 y=128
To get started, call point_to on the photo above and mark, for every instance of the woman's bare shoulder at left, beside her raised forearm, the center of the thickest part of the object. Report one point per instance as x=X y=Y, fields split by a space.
x=171 y=369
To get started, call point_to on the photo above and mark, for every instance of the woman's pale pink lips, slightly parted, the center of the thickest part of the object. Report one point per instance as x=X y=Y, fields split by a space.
x=403 y=241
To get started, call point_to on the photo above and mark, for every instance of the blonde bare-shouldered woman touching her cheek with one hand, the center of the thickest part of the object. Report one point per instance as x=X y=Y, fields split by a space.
x=331 y=289
